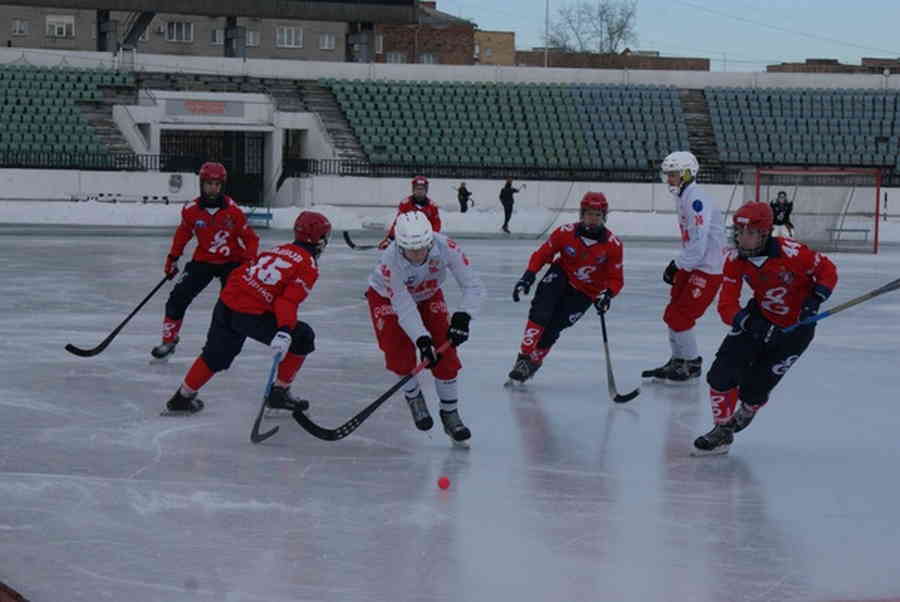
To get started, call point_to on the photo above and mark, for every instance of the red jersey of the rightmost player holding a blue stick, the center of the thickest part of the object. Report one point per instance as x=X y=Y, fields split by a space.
x=780 y=284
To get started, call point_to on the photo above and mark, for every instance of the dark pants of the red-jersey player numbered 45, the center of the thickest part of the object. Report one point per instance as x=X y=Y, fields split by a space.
x=229 y=329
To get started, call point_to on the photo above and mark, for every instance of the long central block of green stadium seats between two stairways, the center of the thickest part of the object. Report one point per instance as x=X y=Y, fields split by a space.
x=522 y=125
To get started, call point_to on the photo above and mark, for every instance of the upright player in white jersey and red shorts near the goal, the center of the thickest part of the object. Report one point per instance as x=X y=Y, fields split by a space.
x=696 y=273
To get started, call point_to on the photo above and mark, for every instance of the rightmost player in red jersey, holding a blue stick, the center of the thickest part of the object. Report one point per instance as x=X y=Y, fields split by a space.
x=789 y=282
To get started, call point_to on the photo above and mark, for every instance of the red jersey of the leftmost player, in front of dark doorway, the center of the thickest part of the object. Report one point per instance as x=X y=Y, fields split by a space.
x=223 y=235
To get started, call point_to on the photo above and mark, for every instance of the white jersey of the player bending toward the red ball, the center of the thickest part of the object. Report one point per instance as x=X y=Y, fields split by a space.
x=406 y=284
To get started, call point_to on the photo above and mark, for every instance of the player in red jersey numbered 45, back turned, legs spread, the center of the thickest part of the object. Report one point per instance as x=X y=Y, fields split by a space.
x=260 y=301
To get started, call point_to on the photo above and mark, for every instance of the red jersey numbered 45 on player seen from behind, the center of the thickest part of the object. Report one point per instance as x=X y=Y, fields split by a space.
x=277 y=282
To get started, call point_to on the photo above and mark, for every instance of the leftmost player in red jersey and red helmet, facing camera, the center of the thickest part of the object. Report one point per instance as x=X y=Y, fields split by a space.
x=224 y=241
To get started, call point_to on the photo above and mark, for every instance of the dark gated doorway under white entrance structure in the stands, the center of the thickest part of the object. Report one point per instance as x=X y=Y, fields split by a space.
x=242 y=154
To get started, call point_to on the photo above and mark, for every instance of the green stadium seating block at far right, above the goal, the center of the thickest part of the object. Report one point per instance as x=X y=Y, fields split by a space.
x=806 y=126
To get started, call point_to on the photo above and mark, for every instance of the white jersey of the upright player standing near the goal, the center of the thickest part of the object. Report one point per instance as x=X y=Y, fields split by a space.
x=702 y=232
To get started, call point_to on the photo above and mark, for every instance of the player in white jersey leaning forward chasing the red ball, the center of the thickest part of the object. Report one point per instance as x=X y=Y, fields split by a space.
x=408 y=311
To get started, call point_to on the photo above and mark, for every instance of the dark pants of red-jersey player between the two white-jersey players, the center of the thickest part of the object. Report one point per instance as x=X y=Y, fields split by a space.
x=556 y=305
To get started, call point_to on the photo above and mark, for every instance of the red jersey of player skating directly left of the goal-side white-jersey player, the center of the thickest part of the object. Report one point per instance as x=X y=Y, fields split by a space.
x=590 y=268
